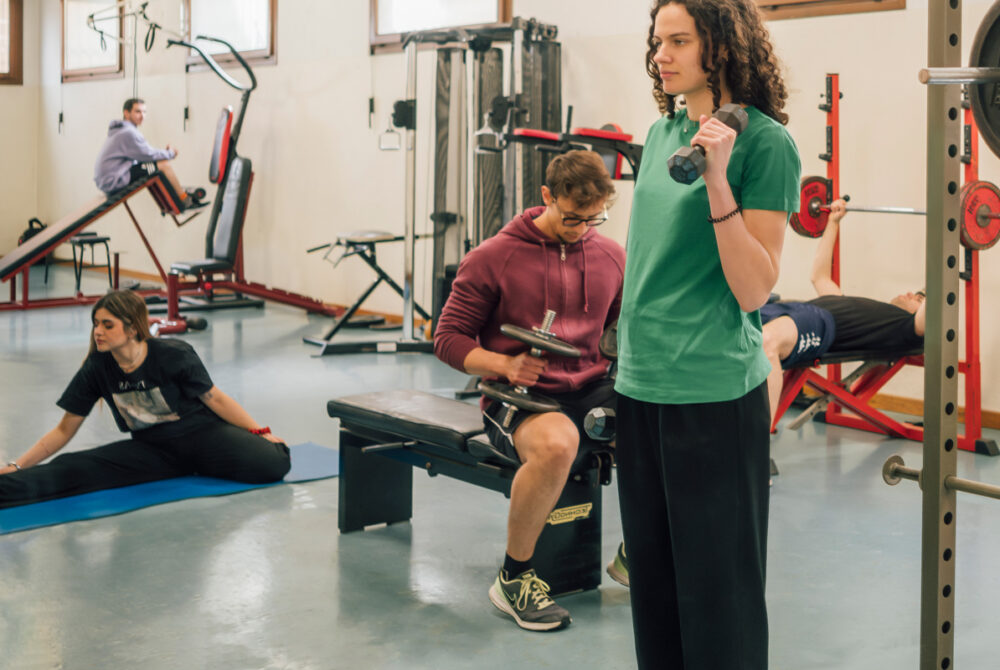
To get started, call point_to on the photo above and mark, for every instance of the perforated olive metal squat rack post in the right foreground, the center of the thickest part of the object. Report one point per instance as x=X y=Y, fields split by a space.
x=938 y=479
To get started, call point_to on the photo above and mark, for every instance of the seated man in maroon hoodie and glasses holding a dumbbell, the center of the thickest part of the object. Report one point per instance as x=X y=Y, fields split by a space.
x=548 y=257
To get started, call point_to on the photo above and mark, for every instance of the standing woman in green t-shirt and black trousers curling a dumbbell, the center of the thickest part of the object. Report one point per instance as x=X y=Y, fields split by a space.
x=693 y=410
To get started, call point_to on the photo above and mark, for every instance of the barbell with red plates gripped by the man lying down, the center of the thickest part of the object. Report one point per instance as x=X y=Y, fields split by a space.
x=980 y=211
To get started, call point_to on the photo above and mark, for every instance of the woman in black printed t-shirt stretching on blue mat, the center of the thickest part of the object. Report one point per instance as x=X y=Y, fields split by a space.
x=158 y=390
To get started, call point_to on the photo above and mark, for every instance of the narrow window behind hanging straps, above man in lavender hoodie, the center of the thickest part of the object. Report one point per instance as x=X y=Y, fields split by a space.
x=88 y=54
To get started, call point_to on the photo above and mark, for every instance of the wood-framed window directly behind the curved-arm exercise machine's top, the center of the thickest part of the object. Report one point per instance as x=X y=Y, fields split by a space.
x=249 y=25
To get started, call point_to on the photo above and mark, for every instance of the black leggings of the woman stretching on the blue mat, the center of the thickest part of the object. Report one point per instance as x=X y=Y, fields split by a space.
x=216 y=450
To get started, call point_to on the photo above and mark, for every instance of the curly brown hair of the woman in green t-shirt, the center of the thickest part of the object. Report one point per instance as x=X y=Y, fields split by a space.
x=734 y=28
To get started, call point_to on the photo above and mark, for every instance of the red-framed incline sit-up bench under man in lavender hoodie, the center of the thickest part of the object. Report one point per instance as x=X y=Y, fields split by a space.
x=34 y=250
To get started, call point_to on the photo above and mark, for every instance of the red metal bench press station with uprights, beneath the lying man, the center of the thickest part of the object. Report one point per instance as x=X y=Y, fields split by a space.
x=855 y=392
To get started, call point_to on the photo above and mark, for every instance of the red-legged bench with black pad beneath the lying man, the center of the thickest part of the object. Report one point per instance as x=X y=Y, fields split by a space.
x=854 y=393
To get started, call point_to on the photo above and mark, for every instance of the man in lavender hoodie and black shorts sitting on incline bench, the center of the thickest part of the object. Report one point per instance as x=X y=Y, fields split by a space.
x=127 y=157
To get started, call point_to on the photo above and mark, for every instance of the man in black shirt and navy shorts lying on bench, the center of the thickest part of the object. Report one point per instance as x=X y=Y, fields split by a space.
x=797 y=333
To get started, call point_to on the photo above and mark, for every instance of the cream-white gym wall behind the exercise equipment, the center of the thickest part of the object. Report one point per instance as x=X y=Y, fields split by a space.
x=319 y=172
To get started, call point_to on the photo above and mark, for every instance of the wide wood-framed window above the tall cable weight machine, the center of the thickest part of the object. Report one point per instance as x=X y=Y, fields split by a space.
x=390 y=18
